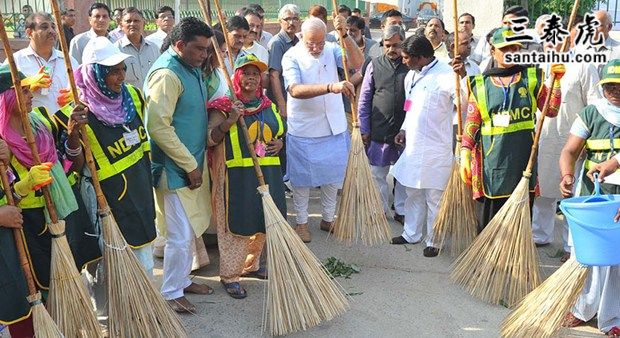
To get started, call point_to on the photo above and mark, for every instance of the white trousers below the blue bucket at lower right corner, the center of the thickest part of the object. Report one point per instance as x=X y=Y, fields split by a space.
x=601 y=297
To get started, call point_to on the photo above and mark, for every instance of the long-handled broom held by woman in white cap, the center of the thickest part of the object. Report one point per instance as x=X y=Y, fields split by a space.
x=136 y=308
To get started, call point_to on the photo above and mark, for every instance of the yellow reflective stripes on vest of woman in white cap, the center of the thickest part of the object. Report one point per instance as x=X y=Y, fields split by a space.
x=107 y=169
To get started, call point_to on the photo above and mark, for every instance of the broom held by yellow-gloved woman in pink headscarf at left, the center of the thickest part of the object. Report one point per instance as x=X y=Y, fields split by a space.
x=68 y=303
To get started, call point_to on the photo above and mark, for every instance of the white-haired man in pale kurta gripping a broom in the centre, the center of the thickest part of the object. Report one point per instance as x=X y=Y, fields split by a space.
x=317 y=140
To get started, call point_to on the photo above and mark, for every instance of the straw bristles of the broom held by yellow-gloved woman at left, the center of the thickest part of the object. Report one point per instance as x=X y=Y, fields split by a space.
x=69 y=302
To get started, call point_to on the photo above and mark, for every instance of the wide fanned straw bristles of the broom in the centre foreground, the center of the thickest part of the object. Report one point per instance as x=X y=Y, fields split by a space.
x=300 y=293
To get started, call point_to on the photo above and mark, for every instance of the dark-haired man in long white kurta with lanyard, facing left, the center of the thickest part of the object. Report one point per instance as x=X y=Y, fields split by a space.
x=425 y=165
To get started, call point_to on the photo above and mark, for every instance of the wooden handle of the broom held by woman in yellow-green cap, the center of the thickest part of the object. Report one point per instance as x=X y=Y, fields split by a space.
x=241 y=121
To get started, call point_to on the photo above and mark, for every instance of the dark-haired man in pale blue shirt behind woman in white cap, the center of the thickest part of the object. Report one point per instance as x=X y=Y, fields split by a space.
x=144 y=52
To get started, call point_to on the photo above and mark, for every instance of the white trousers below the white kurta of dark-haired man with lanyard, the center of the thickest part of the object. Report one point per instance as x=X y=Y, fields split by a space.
x=421 y=208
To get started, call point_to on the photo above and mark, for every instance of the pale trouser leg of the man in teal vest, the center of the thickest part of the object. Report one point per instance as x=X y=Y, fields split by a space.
x=178 y=251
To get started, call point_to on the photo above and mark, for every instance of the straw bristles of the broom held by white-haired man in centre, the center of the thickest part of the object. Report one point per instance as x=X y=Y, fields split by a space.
x=360 y=215
